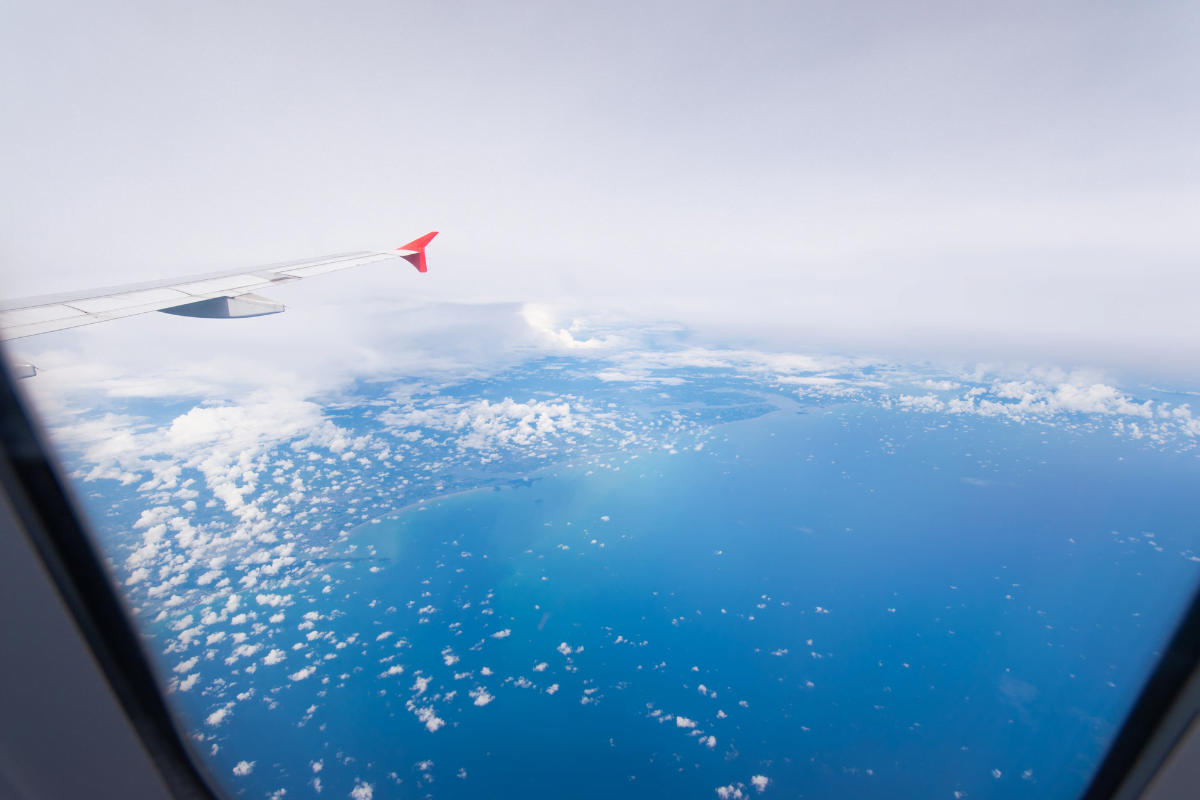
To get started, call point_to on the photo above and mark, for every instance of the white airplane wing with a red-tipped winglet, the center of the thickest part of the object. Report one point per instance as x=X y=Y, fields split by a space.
x=215 y=296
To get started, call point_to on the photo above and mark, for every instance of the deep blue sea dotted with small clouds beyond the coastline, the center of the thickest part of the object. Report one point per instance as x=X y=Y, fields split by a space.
x=877 y=604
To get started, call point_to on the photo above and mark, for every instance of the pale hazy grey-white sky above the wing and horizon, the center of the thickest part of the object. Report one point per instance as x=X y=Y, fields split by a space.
x=985 y=179
